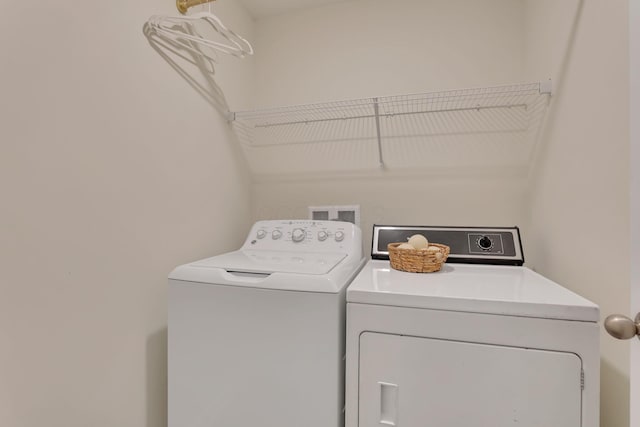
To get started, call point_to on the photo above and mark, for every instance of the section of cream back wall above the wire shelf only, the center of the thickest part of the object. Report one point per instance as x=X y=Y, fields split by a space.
x=365 y=48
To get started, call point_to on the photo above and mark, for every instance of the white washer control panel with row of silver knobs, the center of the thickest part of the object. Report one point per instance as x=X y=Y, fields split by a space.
x=304 y=235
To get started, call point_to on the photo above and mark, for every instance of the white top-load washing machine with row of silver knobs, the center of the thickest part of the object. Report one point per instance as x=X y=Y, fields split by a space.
x=256 y=336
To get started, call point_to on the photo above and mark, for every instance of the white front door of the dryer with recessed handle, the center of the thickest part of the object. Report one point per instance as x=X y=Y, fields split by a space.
x=411 y=381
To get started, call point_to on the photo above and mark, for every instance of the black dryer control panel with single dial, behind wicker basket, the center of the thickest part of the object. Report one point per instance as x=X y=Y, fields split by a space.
x=473 y=245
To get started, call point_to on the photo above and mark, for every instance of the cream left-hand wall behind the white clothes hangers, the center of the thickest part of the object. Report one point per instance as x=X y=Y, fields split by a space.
x=113 y=170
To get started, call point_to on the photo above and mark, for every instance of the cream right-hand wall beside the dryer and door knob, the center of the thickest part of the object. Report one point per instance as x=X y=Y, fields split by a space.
x=580 y=189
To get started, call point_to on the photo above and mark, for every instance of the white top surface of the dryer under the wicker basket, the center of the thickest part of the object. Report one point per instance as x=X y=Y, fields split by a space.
x=505 y=290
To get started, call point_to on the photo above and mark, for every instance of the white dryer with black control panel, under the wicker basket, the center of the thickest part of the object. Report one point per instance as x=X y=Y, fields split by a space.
x=476 y=344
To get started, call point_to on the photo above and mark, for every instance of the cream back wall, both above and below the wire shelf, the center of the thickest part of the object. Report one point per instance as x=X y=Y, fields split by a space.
x=376 y=47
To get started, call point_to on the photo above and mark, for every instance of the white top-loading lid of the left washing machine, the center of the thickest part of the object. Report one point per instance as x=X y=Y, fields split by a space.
x=267 y=262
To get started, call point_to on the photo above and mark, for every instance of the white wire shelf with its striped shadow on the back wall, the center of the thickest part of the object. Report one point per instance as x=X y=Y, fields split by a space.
x=492 y=126
